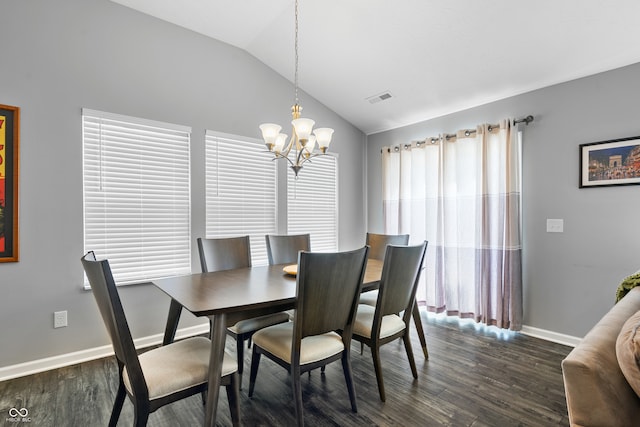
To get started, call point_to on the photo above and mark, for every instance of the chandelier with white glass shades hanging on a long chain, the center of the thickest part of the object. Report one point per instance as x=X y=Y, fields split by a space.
x=301 y=147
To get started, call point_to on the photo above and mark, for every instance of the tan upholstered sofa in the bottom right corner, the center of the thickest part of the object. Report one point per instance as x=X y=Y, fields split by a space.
x=598 y=392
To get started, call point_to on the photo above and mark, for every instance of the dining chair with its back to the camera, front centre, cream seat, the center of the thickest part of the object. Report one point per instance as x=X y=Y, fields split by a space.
x=311 y=340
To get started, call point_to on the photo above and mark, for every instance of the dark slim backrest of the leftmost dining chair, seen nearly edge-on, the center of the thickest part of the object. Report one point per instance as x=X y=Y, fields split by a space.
x=106 y=294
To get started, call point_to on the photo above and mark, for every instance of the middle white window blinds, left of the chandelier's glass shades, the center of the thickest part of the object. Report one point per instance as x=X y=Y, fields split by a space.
x=241 y=191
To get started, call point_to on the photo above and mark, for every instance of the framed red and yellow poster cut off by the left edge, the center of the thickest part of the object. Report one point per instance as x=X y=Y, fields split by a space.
x=9 y=144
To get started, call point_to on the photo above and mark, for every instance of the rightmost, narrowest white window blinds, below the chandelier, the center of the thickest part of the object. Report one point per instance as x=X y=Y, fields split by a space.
x=313 y=202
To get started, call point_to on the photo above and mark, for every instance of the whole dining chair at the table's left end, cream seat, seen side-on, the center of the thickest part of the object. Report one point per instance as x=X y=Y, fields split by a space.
x=159 y=376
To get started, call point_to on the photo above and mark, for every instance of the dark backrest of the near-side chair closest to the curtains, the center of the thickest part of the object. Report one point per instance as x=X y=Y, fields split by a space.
x=399 y=279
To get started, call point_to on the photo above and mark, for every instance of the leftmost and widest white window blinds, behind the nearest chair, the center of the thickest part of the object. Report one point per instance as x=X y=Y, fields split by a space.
x=137 y=195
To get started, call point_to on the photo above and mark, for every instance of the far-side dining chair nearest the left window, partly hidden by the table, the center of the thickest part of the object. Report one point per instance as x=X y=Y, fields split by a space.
x=229 y=253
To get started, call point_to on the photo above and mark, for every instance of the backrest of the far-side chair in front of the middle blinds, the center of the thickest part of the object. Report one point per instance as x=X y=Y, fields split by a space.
x=224 y=253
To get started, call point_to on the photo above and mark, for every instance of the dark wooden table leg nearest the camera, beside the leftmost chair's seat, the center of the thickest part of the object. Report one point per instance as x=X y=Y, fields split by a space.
x=218 y=337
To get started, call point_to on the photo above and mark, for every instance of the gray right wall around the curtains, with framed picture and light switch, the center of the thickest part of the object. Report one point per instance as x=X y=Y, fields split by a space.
x=570 y=278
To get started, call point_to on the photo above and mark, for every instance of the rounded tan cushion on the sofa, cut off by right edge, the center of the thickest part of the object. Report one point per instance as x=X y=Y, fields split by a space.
x=628 y=351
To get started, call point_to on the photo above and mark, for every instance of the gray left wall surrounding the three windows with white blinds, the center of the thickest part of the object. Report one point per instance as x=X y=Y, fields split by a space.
x=57 y=57
